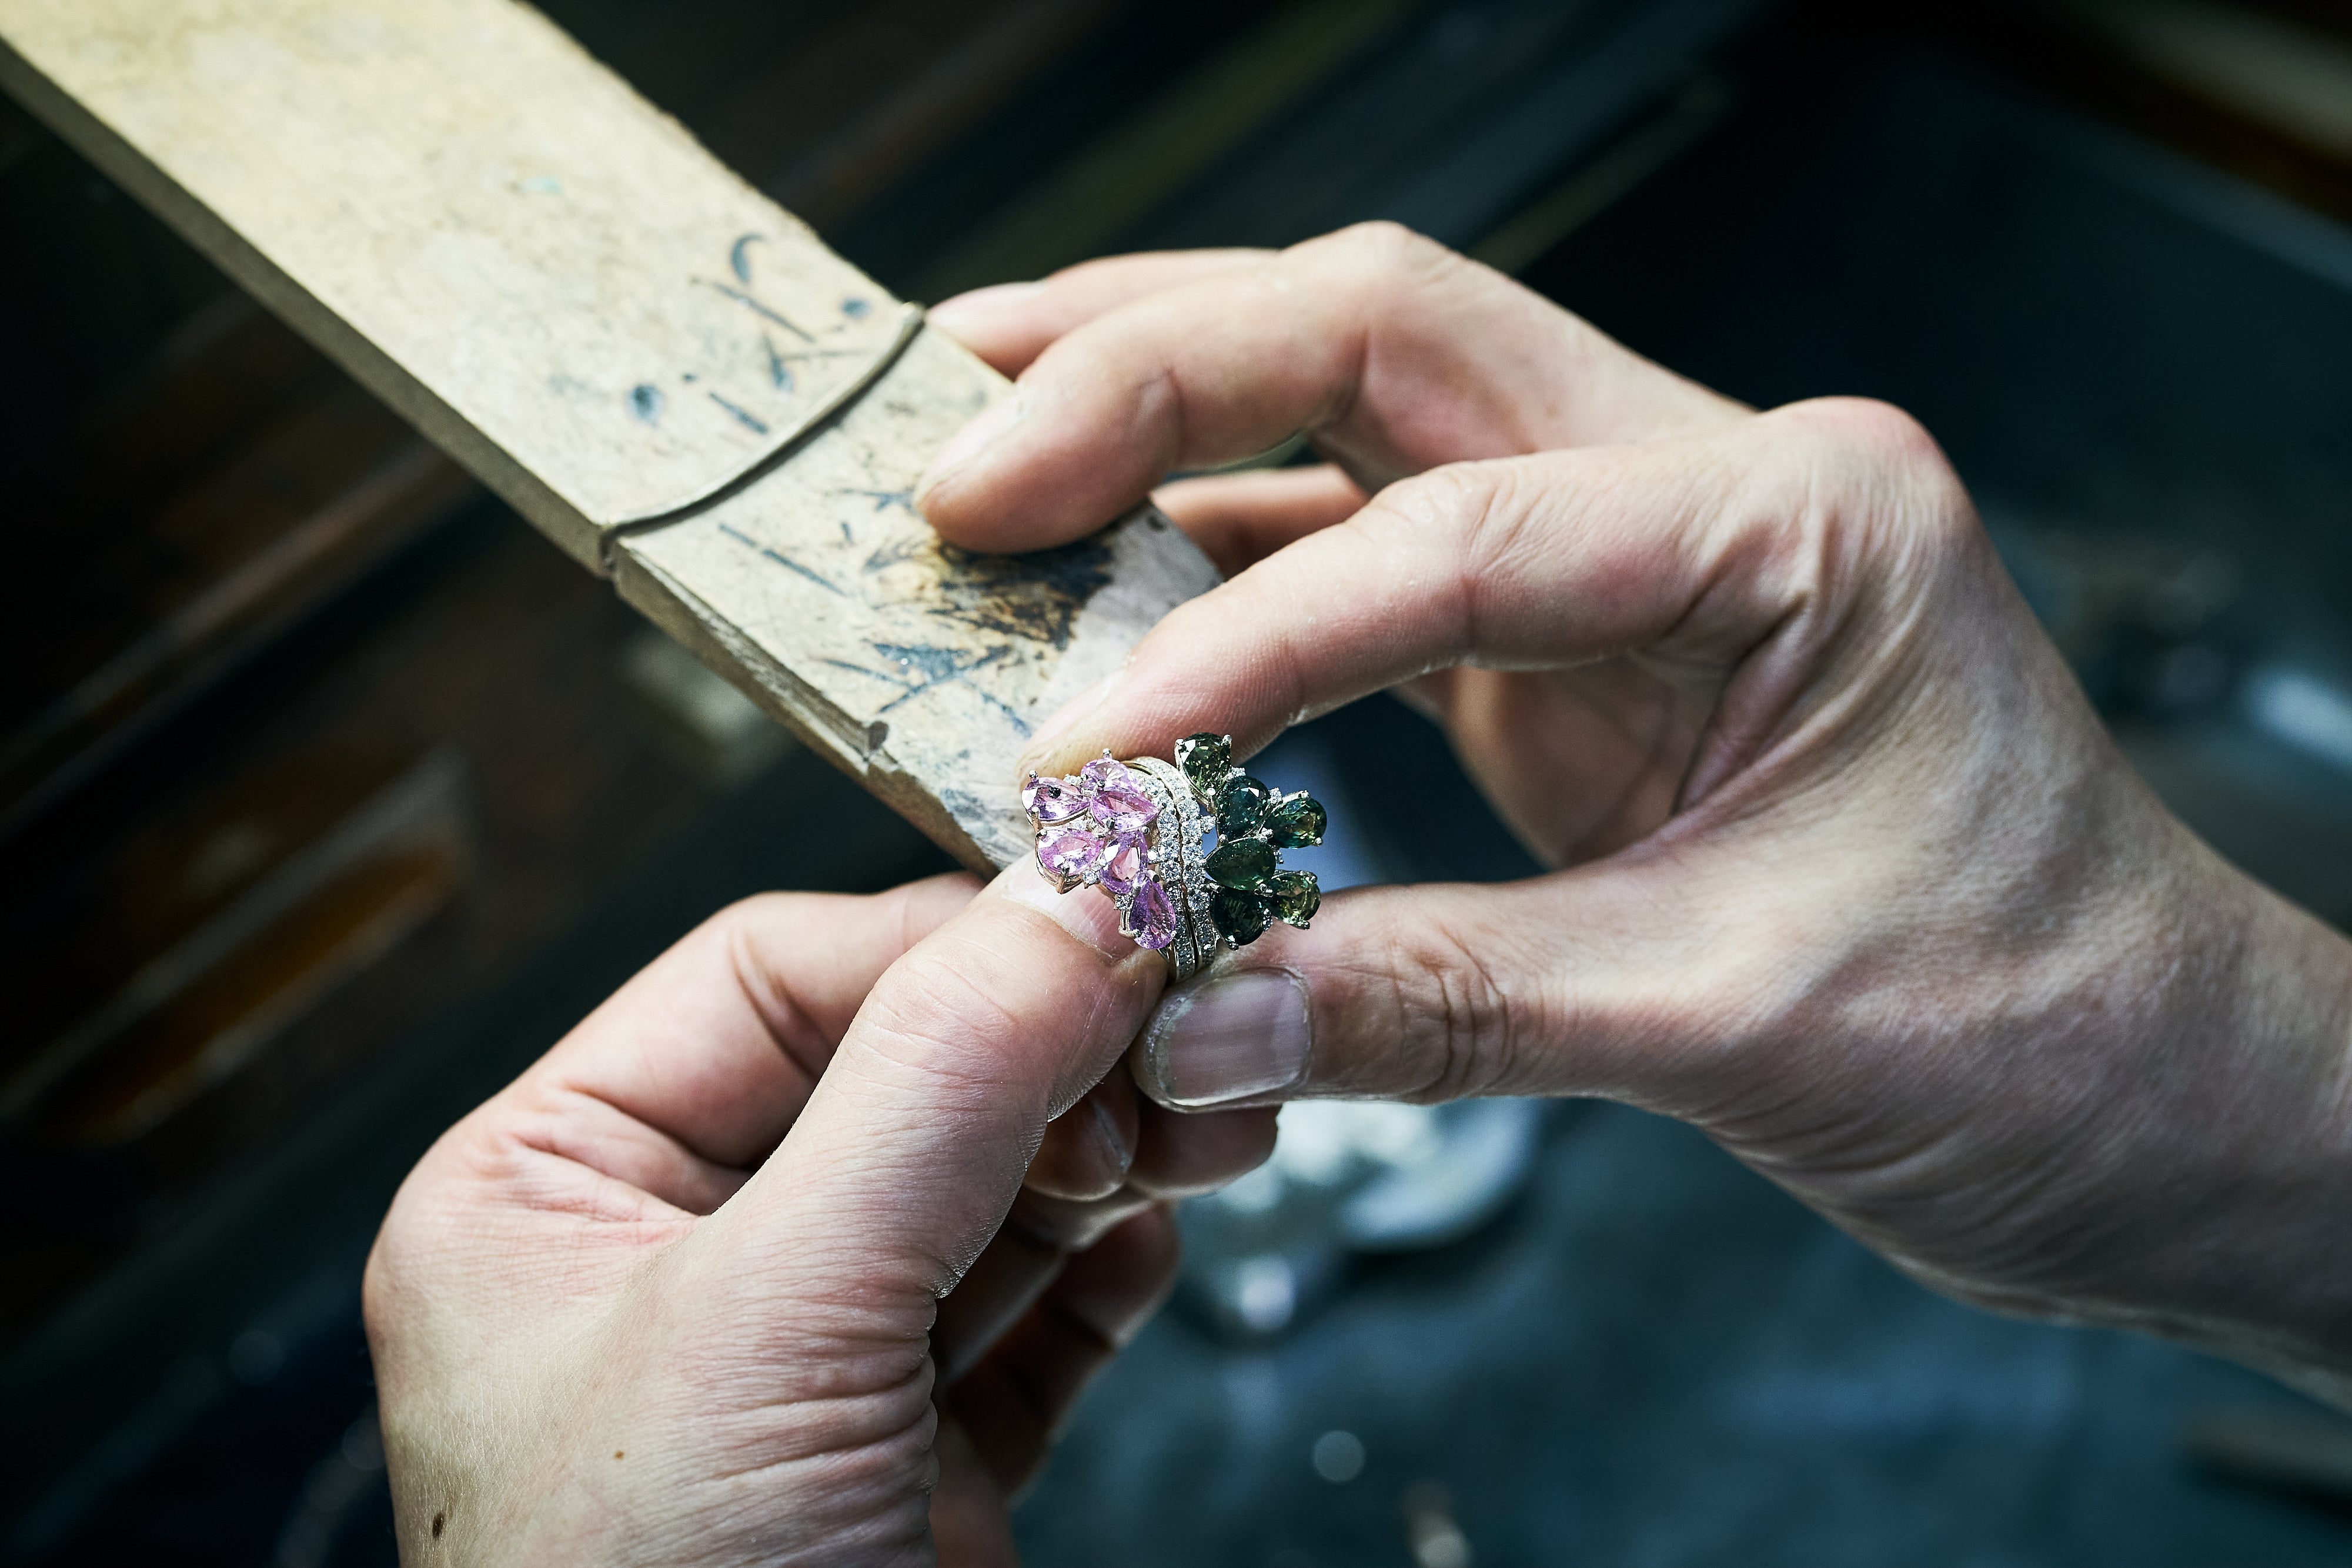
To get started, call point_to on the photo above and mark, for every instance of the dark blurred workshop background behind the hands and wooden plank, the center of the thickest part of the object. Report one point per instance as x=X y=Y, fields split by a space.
x=330 y=796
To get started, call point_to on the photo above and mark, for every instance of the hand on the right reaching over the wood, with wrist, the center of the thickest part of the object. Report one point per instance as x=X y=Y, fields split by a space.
x=1847 y=871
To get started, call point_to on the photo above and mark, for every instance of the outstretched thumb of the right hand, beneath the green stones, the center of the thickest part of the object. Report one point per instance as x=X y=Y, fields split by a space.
x=1629 y=979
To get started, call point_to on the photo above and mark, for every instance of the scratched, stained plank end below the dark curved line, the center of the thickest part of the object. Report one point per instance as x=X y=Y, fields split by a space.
x=914 y=666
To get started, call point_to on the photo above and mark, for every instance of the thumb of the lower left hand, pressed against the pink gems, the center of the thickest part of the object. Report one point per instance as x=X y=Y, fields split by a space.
x=914 y=1144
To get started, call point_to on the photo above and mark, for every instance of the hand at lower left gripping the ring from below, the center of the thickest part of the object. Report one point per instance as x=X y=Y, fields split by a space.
x=674 y=1296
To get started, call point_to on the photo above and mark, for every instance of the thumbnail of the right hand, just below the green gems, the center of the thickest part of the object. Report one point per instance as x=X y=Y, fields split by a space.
x=1227 y=1038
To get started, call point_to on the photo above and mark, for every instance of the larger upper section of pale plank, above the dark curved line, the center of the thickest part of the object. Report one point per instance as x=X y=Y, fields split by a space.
x=490 y=229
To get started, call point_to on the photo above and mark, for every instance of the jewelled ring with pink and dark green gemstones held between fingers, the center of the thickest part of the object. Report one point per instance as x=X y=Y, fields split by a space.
x=1137 y=831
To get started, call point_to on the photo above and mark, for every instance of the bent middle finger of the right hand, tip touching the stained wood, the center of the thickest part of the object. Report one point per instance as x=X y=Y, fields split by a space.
x=1391 y=351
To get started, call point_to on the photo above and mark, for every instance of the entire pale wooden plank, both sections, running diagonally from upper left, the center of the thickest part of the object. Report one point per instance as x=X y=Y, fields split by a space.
x=660 y=368
